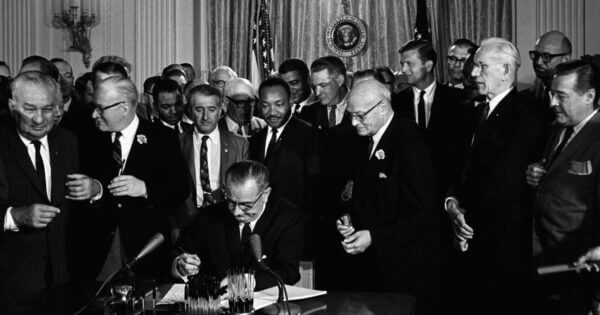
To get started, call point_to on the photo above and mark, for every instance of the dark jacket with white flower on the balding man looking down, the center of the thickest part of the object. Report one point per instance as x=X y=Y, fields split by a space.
x=393 y=198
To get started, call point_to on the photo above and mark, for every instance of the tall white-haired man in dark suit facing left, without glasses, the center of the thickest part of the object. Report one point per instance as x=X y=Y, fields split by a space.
x=487 y=204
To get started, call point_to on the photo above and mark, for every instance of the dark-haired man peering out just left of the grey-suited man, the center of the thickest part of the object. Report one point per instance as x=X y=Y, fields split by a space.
x=169 y=105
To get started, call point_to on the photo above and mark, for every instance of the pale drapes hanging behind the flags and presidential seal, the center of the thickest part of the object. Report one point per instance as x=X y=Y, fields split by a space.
x=298 y=28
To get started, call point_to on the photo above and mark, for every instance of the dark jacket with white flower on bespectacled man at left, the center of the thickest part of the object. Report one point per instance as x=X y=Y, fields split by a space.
x=156 y=159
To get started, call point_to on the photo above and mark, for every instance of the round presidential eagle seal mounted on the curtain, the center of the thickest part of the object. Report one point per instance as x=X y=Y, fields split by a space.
x=346 y=36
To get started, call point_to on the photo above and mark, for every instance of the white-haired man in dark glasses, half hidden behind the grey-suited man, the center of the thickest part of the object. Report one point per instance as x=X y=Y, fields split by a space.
x=239 y=102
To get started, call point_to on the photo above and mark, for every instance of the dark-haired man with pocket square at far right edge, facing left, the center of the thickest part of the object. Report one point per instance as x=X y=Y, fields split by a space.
x=567 y=183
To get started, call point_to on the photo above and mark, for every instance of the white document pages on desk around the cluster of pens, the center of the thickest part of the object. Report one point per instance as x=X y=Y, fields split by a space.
x=176 y=293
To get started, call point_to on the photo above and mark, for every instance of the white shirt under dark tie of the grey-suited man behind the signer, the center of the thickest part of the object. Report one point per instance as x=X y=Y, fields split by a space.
x=213 y=156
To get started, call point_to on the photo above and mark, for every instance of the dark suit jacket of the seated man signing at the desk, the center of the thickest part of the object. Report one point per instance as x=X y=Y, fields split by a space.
x=215 y=238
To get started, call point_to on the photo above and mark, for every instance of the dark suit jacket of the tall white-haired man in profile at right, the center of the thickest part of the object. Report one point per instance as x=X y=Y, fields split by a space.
x=493 y=191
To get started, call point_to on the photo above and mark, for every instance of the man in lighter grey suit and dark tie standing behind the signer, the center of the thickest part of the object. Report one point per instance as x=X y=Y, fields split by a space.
x=208 y=151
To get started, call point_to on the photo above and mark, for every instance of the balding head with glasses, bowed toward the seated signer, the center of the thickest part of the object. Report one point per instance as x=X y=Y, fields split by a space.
x=369 y=105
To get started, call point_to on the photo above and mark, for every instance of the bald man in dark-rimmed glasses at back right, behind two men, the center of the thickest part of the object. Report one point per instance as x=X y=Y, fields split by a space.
x=550 y=50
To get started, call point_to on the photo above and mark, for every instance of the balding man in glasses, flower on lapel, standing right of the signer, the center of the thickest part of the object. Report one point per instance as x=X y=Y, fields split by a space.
x=391 y=224
